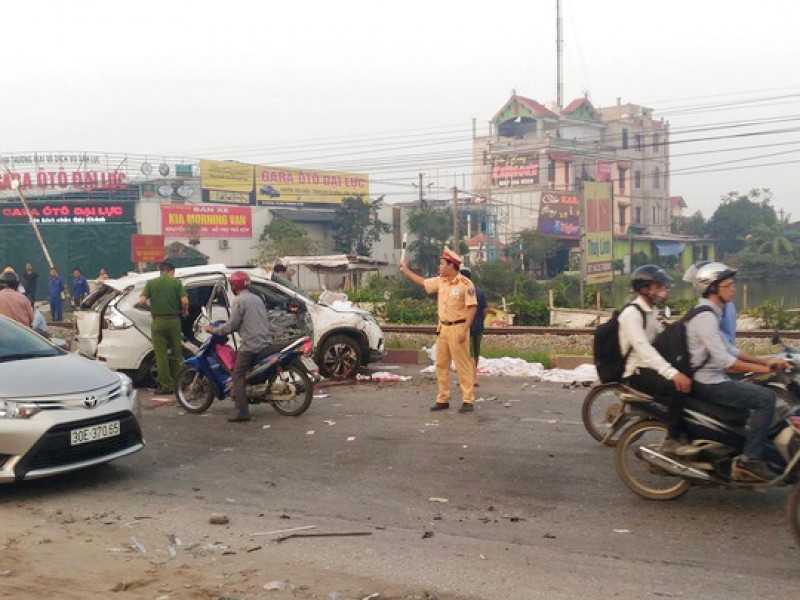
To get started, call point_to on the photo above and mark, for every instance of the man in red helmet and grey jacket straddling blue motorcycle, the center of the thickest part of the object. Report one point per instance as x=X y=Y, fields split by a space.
x=249 y=318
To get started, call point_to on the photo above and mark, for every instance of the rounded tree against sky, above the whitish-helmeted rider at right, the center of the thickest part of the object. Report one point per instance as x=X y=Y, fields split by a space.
x=737 y=216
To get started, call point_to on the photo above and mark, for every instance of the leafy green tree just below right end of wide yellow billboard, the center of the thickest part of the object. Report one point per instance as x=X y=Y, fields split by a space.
x=356 y=226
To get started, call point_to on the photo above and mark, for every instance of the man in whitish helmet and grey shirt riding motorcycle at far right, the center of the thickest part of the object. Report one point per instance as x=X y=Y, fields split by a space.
x=713 y=356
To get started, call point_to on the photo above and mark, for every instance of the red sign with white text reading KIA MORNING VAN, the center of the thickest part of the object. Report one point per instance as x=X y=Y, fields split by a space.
x=206 y=221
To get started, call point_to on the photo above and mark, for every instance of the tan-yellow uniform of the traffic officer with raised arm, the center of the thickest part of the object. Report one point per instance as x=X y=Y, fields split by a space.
x=455 y=297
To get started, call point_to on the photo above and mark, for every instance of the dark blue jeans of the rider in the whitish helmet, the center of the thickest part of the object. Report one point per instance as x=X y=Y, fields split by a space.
x=738 y=394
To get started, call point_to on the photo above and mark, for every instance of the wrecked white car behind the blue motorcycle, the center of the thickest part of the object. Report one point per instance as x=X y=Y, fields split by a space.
x=112 y=330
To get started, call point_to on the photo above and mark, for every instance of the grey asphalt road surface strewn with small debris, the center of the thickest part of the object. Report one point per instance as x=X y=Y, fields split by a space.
x=533 y=506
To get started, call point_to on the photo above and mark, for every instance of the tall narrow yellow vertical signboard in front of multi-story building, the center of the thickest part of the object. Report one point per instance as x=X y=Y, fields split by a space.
x=598 y=238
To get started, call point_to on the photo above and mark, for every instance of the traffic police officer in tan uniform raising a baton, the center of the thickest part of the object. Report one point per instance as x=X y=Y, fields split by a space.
x=457 y=305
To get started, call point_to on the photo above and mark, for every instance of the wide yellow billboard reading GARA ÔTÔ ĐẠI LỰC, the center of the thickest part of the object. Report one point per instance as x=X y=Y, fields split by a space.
x=280 y=186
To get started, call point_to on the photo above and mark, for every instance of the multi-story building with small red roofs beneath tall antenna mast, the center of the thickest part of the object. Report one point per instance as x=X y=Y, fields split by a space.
x=532 y=150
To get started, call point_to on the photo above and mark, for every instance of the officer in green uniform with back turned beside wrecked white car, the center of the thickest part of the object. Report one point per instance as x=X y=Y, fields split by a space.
x=168 y=301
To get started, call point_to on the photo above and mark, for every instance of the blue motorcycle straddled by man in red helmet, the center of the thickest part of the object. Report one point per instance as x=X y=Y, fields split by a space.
x=281 y=378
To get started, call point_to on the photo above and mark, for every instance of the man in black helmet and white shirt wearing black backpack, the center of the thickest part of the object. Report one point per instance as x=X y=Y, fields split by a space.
x=645 y=369
